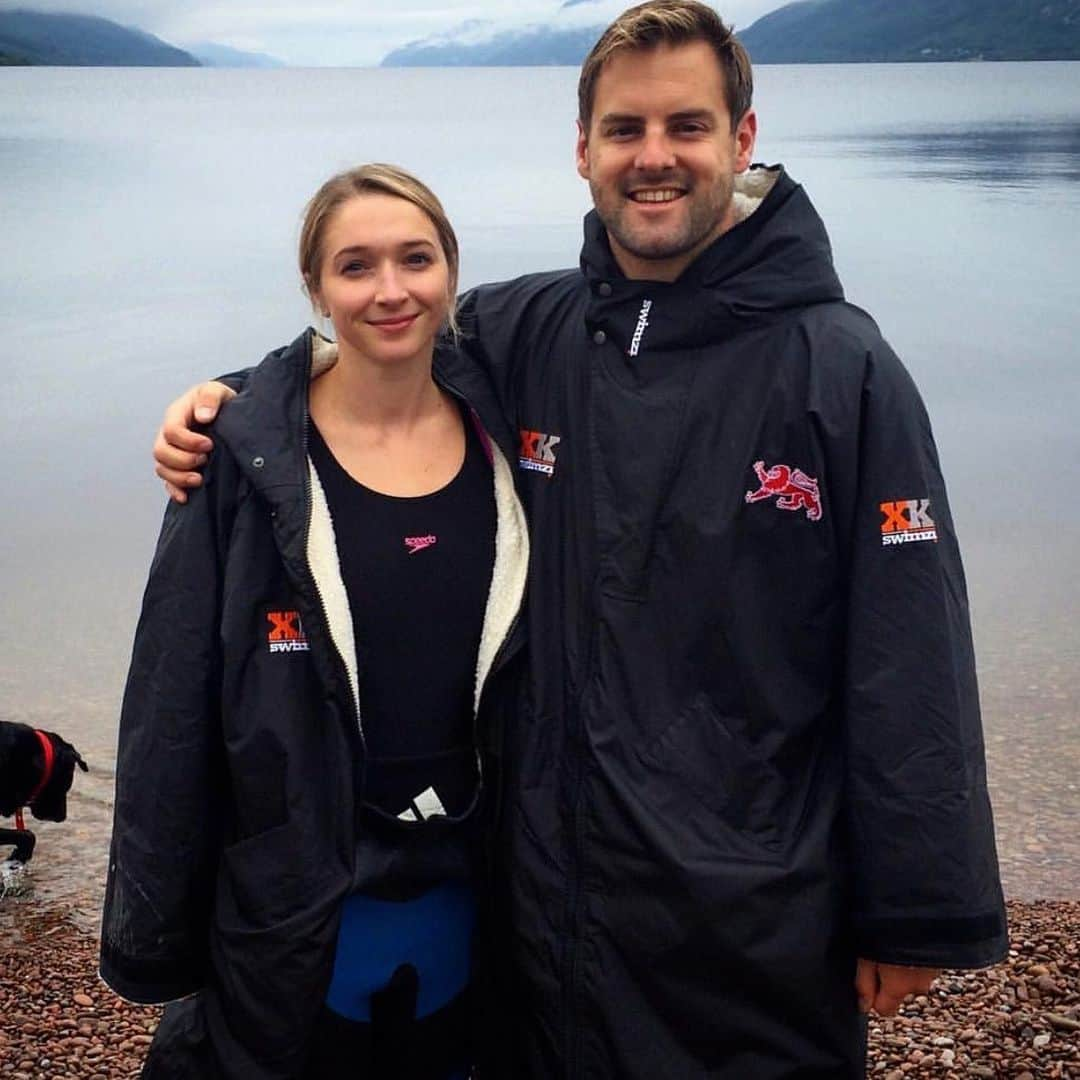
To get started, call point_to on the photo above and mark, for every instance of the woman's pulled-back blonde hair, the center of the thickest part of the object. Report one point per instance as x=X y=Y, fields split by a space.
x=375 y=179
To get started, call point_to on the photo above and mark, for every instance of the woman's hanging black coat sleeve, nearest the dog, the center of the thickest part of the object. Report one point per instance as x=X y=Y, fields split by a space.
x=170 y=784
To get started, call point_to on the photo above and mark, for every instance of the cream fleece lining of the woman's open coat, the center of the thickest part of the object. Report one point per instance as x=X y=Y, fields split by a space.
x=509 y=572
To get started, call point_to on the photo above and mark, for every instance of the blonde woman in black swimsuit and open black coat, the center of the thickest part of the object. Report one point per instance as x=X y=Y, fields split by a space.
x=299 y=778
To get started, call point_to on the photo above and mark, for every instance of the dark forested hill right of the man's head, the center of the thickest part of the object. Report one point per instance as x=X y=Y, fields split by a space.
x=880 y=31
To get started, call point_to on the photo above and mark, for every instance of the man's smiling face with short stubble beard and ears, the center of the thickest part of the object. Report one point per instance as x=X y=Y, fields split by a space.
x=660 y=157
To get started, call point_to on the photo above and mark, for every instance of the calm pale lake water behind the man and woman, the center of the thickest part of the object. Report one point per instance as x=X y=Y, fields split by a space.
x=147 y=227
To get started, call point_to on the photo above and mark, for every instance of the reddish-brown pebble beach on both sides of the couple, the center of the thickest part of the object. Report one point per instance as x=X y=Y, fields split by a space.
x=1018 y=1021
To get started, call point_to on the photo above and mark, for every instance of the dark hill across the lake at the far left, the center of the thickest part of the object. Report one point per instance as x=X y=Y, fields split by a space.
x=31 y=37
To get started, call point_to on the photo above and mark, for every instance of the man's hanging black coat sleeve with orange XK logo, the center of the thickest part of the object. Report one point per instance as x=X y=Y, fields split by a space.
x=926 y=889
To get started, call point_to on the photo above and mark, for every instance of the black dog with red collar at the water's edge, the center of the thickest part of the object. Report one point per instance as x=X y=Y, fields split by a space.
x=36 y=772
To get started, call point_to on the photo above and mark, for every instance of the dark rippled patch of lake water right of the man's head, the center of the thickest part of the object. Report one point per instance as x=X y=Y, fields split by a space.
x=1015 y=156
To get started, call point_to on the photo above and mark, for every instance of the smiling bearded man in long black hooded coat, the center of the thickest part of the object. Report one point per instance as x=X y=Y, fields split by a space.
x=742 y=792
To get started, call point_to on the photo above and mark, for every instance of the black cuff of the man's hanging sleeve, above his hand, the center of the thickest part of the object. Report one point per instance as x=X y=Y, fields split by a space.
x=973 y=941
